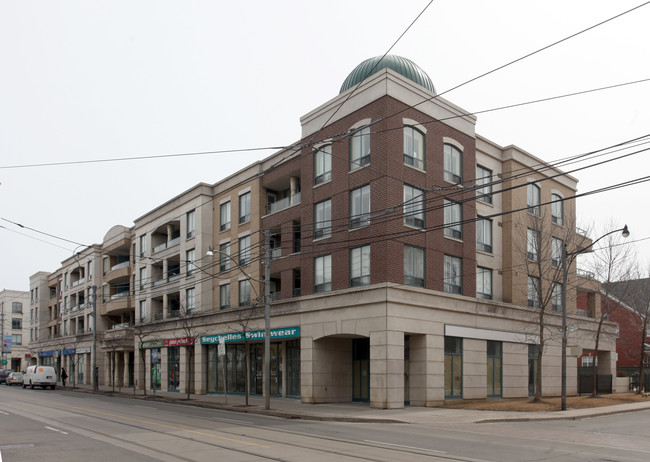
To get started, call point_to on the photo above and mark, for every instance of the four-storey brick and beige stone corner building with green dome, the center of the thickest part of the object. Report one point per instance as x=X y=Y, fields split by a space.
x=402 y=252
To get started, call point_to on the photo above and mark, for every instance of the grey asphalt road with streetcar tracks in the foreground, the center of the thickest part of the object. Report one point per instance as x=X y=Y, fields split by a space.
x=39 y=425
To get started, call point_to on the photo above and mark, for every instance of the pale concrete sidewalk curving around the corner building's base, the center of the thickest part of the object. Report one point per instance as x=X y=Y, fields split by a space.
x=361 y=412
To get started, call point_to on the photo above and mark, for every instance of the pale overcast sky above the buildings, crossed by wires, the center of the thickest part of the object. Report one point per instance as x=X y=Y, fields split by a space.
x=86 y=80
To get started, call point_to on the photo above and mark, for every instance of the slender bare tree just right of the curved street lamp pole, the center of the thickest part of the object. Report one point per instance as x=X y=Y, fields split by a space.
x=612 y=263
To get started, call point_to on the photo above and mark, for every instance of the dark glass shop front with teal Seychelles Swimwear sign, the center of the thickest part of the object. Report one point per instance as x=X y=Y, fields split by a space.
x=227 y=356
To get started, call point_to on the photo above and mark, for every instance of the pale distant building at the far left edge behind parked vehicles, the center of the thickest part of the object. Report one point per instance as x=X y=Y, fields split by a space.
x=14 y=309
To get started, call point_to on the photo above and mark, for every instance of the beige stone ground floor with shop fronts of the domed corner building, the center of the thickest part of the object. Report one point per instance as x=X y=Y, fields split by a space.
x=388 y=346
